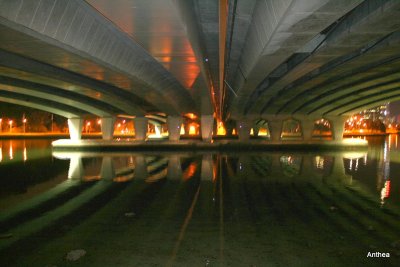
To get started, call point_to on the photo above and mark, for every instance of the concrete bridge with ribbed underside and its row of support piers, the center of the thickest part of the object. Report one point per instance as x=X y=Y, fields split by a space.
x=244 y=64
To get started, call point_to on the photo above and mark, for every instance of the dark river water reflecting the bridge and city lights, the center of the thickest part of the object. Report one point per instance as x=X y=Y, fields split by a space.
x=199 y=209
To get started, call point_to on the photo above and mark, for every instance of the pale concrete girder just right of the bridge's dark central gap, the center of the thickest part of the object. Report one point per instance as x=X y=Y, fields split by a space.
x=271 y=41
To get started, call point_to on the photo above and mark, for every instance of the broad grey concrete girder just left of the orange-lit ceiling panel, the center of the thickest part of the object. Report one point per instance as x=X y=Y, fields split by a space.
x=83 y=32
